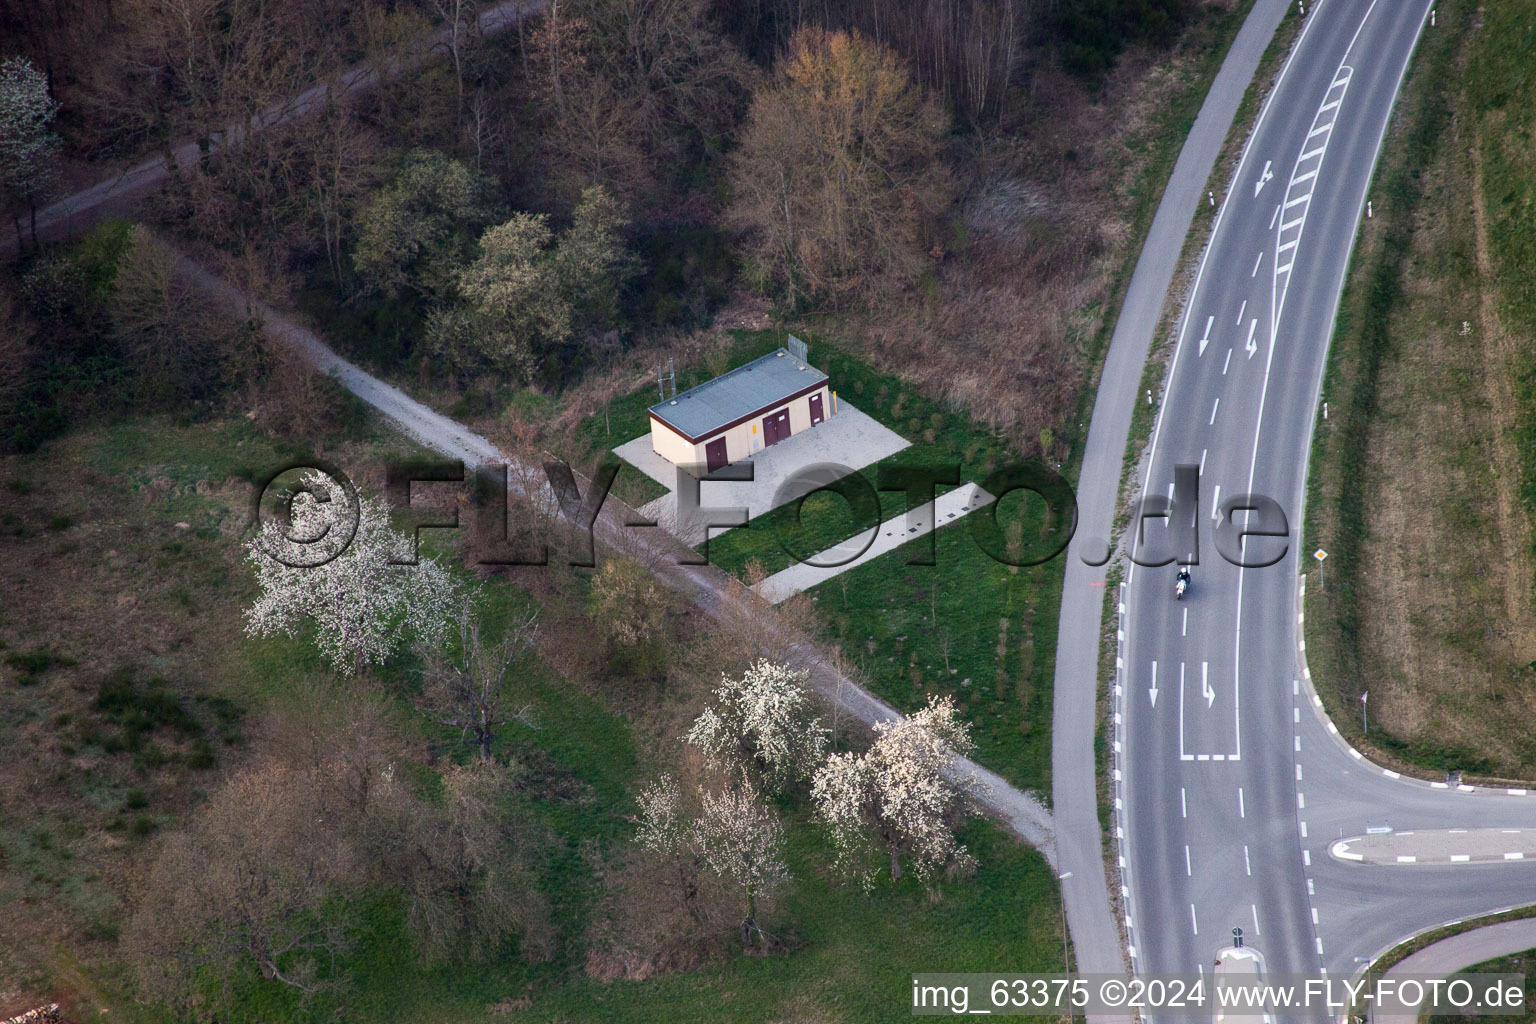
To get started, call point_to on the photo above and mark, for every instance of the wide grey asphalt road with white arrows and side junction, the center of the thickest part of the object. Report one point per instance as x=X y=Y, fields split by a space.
x=1234 y=784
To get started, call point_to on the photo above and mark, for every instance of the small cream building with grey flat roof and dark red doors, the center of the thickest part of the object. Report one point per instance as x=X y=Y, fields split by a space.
x=741 y=412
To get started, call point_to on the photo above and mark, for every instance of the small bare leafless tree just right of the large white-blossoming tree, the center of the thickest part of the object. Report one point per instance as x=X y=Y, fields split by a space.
x=468 y=690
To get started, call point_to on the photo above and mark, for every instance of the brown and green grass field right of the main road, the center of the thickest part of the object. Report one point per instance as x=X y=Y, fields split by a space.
x=1429 y=584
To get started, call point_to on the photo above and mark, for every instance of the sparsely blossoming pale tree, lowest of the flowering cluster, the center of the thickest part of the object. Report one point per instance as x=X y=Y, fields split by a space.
x=735 y=836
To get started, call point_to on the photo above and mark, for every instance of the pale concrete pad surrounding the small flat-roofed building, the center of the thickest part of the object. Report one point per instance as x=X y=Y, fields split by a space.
x=838 y=446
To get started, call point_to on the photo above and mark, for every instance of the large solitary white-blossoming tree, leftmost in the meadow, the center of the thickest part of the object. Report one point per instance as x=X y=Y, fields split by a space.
x=360 y=604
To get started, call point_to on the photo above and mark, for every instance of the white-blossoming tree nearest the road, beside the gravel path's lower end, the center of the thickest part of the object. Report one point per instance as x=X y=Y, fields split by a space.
x=904 y=796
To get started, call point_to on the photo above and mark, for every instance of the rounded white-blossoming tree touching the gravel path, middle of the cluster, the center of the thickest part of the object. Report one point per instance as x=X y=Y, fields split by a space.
x=763 y=727
